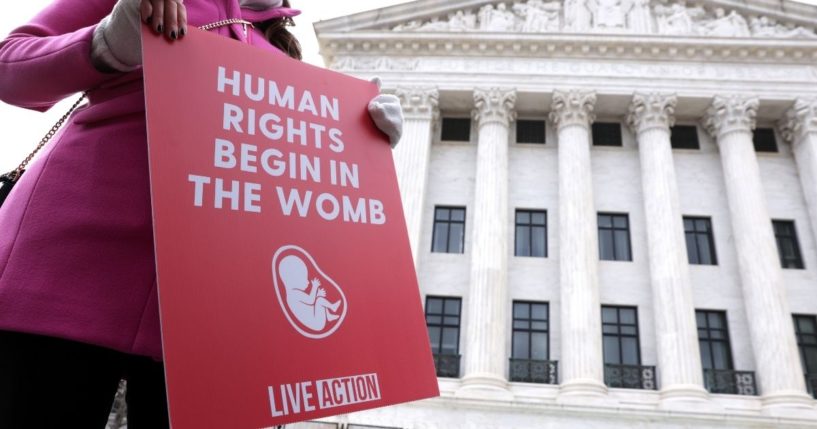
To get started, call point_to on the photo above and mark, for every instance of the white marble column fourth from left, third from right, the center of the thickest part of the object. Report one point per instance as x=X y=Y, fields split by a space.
x=679 y=359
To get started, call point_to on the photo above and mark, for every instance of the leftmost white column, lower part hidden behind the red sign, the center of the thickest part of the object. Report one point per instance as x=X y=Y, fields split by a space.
x=411 y=156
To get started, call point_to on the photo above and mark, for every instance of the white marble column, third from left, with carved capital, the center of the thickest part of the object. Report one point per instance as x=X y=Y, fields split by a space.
x=582 y=368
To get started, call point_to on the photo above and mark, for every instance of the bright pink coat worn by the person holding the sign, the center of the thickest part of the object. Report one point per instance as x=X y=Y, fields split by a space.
x=76 y=240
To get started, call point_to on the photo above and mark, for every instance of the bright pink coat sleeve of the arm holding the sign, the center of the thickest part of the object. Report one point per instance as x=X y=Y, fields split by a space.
x=49 y=58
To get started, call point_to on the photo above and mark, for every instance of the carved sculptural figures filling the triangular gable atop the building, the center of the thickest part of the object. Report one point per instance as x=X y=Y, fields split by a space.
x=609 y=16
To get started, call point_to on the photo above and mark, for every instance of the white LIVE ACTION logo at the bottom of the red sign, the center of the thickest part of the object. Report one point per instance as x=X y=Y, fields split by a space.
x=307 y=396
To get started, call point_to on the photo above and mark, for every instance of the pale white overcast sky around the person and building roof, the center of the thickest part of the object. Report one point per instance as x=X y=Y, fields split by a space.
x=23 y=129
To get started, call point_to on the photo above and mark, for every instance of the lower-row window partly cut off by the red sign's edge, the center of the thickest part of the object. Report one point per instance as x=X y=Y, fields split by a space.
x=443 y=322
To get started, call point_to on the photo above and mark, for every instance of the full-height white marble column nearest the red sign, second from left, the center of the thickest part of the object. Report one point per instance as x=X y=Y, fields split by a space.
x=485 y=333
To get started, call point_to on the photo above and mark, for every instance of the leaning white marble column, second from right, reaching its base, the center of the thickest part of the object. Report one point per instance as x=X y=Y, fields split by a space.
x=730 y=120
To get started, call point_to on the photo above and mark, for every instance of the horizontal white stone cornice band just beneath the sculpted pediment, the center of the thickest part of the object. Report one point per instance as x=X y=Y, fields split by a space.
x=613 y=47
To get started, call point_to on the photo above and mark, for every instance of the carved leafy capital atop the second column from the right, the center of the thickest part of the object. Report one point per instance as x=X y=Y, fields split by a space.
x=729 y=114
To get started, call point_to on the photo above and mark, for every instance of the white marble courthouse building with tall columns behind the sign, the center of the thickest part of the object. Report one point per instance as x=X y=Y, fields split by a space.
x=612 y=206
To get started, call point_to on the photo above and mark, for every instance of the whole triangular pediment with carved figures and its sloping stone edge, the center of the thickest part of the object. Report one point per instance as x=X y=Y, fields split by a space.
x=709 y=19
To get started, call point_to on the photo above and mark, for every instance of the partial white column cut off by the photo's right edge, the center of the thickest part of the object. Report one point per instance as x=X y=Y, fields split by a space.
x=799 y=128
